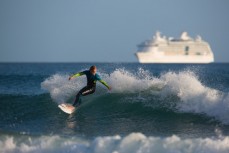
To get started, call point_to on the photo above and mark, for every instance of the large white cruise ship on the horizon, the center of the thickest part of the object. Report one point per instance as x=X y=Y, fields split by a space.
x=170 y=50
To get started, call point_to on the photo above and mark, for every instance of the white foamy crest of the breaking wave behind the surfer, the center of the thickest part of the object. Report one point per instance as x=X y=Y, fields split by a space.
x=177 y=91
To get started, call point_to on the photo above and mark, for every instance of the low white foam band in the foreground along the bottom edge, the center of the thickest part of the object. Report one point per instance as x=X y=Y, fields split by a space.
x=132 y=143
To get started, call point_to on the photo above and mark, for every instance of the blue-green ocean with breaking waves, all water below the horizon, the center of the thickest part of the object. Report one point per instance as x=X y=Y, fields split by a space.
x=172 y=108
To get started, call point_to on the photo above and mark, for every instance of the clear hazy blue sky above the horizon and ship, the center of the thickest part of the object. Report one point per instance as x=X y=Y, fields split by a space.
x=104 y=30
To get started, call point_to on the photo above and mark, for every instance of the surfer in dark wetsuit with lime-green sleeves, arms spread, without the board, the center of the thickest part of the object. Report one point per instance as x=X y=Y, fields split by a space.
x=92 y=77
